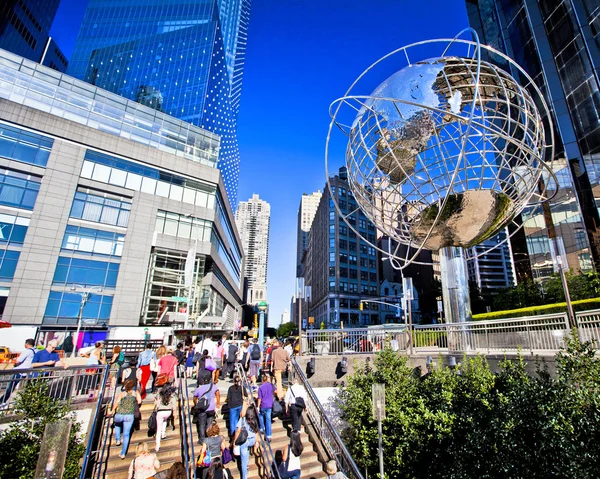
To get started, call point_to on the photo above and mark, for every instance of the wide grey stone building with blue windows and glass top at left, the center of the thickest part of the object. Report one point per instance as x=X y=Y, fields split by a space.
x=83 y=209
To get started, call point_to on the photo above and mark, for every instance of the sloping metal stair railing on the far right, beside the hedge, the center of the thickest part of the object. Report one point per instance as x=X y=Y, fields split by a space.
x=327 y=432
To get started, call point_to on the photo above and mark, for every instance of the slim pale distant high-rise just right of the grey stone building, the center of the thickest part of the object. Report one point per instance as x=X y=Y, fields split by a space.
x=253 y=219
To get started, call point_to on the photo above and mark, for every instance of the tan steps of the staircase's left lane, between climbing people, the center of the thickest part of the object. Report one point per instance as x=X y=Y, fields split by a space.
x=170 y=448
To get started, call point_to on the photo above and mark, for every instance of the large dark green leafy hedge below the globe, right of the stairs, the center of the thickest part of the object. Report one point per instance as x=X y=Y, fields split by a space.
x=474 y=424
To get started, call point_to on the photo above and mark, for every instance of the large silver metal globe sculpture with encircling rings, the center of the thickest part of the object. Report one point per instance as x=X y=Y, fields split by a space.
x=448 y=149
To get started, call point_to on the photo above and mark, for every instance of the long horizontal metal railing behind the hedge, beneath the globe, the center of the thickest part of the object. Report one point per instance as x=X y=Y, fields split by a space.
x=534 y=334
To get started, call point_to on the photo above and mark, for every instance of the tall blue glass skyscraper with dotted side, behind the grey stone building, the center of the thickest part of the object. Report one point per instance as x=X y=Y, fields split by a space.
x=182 y=58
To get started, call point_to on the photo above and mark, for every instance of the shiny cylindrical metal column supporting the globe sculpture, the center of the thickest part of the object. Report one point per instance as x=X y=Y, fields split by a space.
x=455 y=292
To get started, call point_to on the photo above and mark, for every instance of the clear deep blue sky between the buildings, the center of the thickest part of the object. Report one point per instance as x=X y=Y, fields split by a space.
x=301 y=56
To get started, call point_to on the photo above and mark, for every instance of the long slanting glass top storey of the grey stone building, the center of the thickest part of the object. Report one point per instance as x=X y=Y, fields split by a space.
x=30 y=84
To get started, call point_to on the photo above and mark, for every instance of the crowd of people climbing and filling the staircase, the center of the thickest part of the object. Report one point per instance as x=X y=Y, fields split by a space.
x=250 y=411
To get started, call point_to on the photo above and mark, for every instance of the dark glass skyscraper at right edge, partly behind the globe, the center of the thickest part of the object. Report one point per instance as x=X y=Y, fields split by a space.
x=558 y=43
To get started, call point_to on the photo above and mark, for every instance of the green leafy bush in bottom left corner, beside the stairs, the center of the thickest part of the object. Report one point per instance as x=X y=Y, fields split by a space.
x=20 y=443
